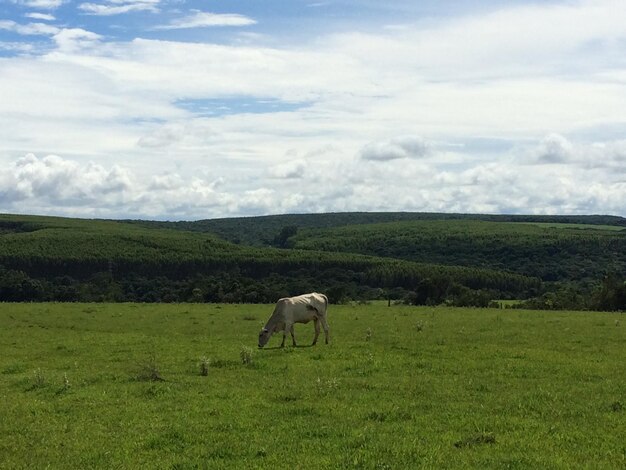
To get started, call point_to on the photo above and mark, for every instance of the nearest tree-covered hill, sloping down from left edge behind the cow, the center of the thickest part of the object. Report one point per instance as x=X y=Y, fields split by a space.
x=43 y=258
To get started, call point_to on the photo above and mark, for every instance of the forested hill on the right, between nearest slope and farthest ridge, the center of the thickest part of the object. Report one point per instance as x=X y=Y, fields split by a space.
x=551 y=251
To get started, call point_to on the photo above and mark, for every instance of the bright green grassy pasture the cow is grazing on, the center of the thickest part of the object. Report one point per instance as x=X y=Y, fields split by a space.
x=122 y=386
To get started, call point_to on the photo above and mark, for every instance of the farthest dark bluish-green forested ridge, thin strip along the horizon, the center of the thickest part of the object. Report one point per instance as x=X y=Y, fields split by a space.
x=266 y=230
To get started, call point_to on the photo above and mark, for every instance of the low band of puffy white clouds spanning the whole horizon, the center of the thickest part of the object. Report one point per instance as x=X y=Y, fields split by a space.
x=65 y=186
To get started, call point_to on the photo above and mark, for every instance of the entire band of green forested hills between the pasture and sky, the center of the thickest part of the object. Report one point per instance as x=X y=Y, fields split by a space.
x=422 y=258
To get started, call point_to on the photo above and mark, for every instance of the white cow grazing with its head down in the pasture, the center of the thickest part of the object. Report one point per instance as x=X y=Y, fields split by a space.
x=300 y=309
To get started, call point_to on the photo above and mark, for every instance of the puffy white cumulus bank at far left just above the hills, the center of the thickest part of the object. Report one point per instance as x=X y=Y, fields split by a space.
x=73 y=188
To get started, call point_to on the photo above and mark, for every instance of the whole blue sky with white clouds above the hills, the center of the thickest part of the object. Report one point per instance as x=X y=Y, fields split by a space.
x=188 y=110
